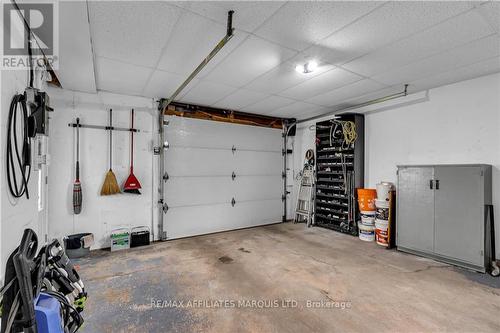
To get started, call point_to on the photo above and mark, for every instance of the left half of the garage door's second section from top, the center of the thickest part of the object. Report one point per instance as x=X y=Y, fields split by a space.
x=198 y=162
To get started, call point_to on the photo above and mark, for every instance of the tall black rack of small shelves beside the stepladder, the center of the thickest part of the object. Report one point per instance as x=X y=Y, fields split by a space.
x=339 y=171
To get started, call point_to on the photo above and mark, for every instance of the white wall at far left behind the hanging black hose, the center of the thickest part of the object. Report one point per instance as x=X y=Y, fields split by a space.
x=15 y=214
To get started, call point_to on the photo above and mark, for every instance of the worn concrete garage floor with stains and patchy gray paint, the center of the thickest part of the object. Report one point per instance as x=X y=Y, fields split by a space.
x=264 y=280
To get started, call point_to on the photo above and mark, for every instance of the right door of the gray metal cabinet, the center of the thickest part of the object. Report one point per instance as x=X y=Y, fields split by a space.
x=459 y=224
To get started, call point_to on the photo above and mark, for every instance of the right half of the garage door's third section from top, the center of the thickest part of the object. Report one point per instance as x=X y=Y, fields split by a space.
x=254 y=188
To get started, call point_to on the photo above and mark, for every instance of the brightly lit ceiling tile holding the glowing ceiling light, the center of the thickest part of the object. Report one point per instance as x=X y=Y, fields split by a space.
x=284 y=76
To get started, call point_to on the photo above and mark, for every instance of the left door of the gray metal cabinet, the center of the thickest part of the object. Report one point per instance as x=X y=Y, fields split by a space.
x=415 y=223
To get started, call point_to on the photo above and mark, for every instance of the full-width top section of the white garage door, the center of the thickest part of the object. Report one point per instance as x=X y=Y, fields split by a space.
x=187 y=132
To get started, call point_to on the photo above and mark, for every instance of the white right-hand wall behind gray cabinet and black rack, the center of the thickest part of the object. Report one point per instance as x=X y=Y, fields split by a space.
x=459 y=123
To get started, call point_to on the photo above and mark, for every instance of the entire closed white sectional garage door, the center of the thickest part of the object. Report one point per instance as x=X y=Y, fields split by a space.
x=200 y=163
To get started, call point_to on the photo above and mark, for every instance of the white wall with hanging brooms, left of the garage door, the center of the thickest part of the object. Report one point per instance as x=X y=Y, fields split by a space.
x=100 y=214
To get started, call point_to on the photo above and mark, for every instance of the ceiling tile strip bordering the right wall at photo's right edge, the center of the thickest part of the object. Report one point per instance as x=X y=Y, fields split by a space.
x=485 y=67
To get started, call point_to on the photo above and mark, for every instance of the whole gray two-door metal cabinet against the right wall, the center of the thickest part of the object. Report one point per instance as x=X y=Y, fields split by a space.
x=441 y=212
